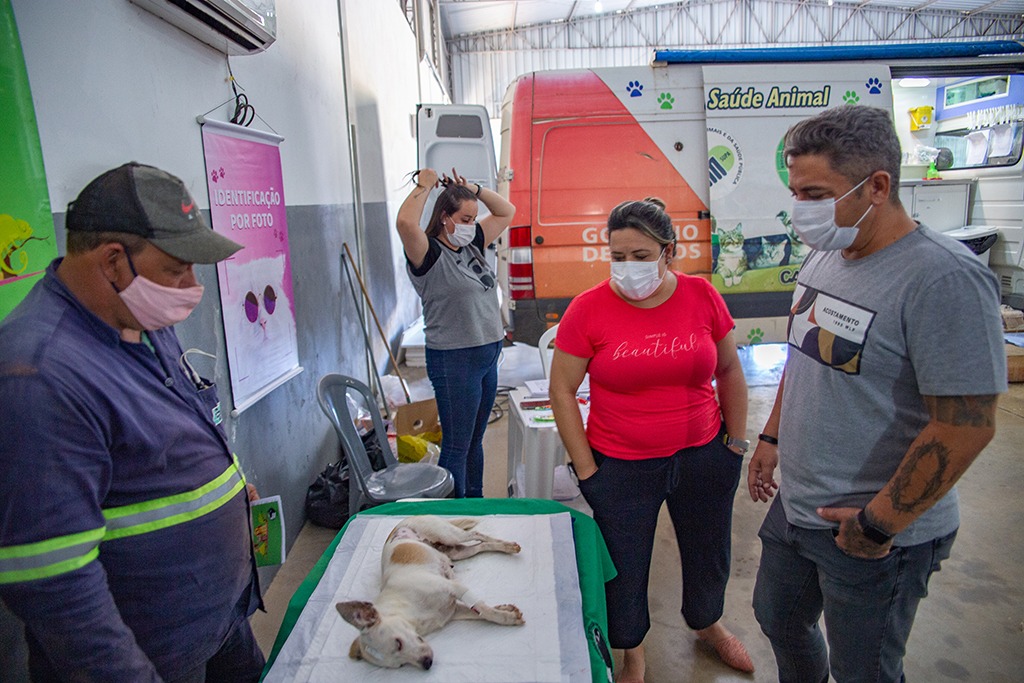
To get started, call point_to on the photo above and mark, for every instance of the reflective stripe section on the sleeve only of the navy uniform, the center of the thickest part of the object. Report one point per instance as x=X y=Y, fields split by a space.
x=51 y=558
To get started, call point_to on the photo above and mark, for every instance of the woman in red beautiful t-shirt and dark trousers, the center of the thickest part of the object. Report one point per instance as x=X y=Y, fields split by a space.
x=653 y=341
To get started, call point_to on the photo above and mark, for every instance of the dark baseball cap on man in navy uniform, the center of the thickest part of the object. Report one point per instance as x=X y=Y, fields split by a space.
x=153 y=204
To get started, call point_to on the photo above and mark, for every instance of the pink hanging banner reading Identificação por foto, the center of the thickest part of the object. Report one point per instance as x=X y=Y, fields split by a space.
x=247 y=205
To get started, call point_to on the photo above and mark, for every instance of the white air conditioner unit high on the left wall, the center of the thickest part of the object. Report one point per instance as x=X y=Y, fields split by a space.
x=234 y=27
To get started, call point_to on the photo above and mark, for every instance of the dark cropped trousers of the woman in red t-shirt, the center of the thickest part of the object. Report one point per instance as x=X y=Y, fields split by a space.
x=699 y=485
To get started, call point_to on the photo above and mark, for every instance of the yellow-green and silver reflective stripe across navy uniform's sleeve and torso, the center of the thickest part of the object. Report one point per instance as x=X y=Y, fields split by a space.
x=67 y=553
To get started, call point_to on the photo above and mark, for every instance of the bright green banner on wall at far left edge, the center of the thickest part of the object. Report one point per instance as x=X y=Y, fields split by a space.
x=27 y=240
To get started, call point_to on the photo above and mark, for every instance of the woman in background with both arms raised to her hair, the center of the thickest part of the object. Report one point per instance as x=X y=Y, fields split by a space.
x=462 y=320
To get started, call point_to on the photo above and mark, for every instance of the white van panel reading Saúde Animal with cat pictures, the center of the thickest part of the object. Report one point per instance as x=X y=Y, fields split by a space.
x=749 y=110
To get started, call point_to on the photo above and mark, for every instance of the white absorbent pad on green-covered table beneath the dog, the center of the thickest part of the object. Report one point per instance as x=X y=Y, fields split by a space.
x=542 y=581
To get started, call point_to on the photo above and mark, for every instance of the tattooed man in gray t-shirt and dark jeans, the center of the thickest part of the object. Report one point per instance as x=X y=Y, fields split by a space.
x=889 y=395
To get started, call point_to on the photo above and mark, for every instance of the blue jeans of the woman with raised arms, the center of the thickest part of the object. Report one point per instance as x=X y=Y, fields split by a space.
x=465 y=382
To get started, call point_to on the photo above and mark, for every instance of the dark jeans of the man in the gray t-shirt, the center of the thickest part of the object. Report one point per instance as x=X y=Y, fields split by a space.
x=869 y=606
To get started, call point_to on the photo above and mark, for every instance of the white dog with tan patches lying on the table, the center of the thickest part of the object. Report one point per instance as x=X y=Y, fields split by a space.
x=419 y=593
